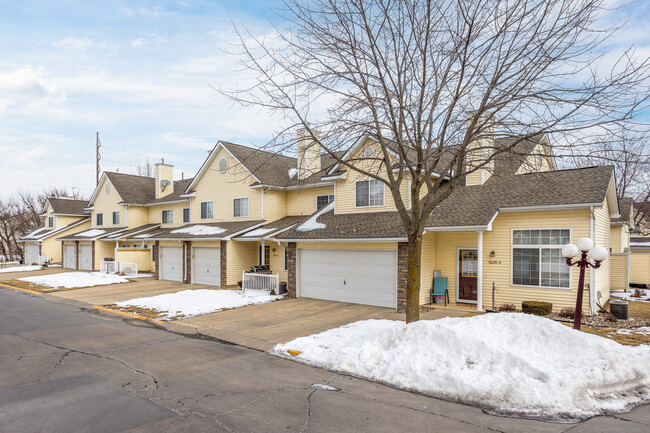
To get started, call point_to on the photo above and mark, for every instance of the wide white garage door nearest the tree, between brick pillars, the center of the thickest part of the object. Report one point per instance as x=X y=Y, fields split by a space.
x=360 y=277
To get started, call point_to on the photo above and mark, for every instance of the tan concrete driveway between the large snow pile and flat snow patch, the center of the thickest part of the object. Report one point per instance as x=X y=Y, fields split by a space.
x=262 y=326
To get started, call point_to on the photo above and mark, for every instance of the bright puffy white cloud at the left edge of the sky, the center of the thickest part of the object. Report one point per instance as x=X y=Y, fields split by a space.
x=29 y=87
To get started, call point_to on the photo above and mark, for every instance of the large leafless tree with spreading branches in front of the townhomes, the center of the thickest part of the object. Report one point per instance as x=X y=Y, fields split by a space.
x=430 y=80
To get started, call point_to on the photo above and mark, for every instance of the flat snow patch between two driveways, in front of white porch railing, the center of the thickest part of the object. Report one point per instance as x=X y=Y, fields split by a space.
x=190 y=303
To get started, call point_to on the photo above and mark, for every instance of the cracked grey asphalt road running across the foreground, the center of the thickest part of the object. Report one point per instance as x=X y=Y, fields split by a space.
x=66 y=368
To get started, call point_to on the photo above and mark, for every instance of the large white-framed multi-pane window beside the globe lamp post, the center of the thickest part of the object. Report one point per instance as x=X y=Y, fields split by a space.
x=537 y=258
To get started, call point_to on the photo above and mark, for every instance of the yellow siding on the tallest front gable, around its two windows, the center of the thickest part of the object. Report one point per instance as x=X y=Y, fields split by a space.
x=222 y=187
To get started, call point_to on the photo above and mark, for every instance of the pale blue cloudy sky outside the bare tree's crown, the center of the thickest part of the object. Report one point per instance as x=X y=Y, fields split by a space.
x=139 y=73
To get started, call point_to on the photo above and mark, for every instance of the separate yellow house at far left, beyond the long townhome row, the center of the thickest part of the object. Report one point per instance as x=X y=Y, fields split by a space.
x=62 y=215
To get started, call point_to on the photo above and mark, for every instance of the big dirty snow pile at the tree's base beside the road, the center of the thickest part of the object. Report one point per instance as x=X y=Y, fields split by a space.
x=509 y=364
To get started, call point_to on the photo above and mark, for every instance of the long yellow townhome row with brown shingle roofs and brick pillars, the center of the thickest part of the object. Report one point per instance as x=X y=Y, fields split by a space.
x=334 y=234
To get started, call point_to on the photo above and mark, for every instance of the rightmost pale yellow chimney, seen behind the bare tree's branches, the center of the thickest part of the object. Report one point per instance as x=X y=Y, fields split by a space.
x=479 y=151
